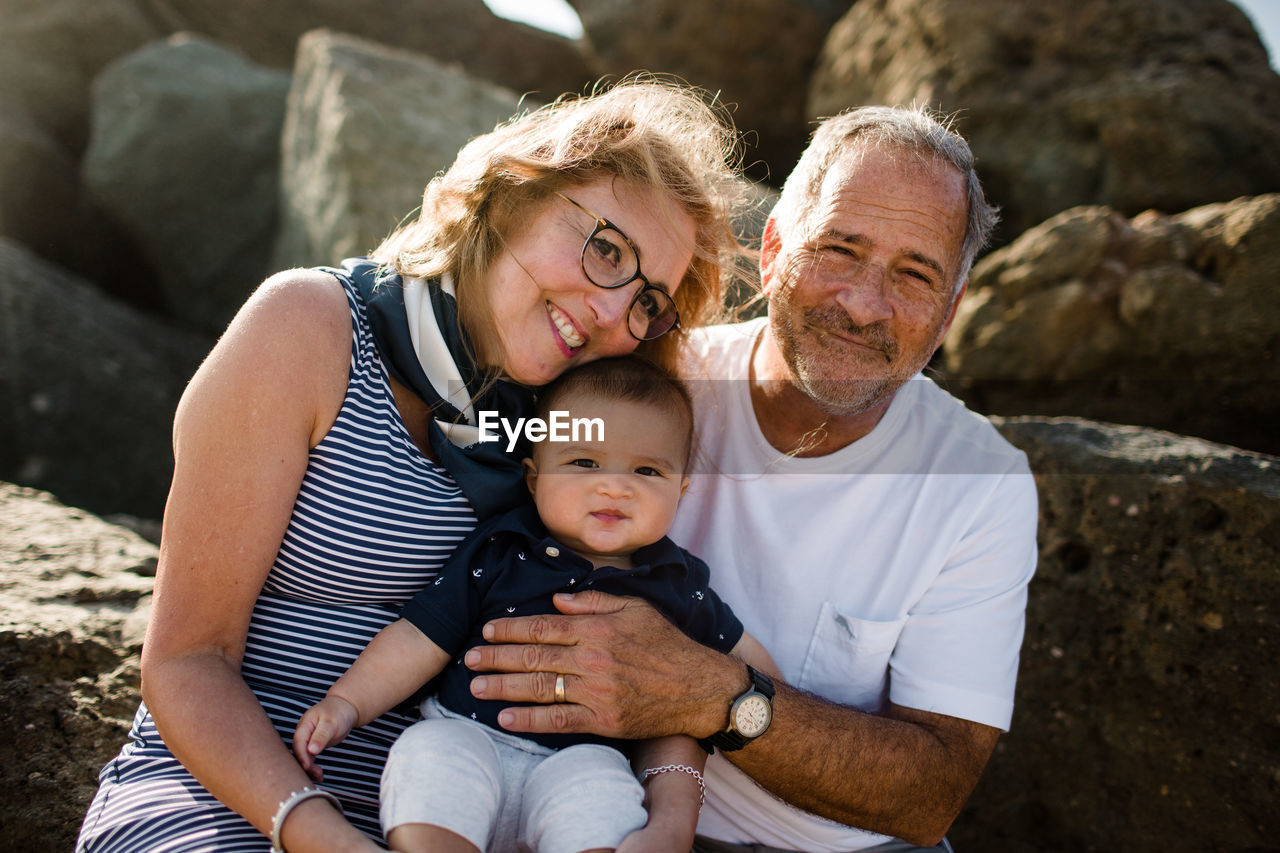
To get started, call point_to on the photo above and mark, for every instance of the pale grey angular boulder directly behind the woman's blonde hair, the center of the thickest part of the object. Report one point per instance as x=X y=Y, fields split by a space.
x=367 y=130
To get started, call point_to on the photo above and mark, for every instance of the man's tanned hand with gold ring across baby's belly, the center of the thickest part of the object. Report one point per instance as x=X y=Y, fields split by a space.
x=629 y=673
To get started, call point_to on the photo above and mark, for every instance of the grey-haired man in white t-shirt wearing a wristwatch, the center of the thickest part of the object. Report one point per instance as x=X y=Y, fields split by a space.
x=874 y=535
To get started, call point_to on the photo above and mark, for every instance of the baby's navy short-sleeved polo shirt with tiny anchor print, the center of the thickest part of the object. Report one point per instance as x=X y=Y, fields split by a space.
x=511 y=567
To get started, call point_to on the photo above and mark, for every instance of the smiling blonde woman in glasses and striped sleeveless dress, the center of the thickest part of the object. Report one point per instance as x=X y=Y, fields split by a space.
x=323 y=469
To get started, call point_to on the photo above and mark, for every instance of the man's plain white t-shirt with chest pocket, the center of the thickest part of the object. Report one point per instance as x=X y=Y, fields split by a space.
x=893 y=571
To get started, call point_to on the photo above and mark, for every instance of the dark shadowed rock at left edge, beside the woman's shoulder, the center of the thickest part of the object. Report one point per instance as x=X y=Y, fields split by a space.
x=89 y=390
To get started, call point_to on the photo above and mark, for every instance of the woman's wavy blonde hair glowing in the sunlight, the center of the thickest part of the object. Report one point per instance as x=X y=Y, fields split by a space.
x=650 y=133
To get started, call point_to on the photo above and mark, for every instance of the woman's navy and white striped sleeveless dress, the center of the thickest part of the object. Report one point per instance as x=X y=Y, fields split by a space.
x=373 y=523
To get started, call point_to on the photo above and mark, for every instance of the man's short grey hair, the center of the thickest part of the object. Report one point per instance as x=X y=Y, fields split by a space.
x=915 y=130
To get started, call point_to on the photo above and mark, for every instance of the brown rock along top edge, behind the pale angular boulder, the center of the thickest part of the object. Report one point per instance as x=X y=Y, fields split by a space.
x=452 y=31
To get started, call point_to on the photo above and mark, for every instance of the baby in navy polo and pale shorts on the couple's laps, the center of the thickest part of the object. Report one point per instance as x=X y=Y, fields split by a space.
x=602 y=509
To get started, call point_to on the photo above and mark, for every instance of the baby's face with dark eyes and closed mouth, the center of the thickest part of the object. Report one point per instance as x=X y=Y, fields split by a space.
x=607 y=498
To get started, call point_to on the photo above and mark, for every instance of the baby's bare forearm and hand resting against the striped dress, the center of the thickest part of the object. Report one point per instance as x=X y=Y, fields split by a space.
x=395 y=664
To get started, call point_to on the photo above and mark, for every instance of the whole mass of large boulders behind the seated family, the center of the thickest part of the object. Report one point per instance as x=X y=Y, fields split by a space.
x=158 y=158
